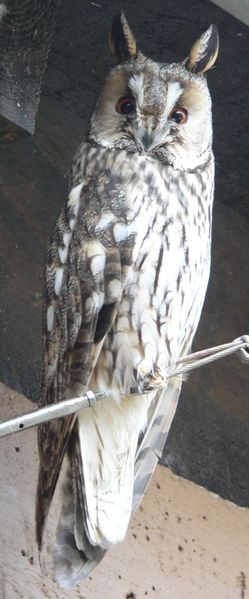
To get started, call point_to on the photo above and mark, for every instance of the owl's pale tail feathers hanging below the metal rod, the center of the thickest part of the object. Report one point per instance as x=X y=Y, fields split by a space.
x=91 y=522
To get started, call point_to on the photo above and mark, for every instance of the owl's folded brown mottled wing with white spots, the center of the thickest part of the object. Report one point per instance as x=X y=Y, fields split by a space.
x=84 y=278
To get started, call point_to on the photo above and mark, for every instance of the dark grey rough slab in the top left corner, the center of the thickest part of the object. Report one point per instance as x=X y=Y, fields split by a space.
x=26 y=30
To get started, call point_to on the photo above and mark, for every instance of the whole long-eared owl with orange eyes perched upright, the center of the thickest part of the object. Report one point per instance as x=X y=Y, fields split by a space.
x=127 y=271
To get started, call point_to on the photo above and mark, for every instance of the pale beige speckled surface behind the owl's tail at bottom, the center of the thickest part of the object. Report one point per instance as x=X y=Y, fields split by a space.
x=183 y=542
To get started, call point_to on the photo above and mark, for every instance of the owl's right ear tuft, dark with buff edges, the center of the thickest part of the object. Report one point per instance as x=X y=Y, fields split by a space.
x=204 y=52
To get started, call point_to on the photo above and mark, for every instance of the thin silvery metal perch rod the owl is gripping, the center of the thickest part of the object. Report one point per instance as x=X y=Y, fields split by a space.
x=70 y=406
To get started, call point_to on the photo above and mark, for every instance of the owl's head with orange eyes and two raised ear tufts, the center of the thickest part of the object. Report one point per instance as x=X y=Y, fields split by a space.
x=160 y=110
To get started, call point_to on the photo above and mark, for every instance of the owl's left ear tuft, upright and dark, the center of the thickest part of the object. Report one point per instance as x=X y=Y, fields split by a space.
x=122 y=41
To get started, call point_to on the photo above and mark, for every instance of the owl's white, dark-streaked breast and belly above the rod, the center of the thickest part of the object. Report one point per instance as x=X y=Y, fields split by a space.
x=164 y=214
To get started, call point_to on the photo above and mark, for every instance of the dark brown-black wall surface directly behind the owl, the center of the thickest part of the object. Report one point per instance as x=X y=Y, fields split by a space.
x=209 y=439
